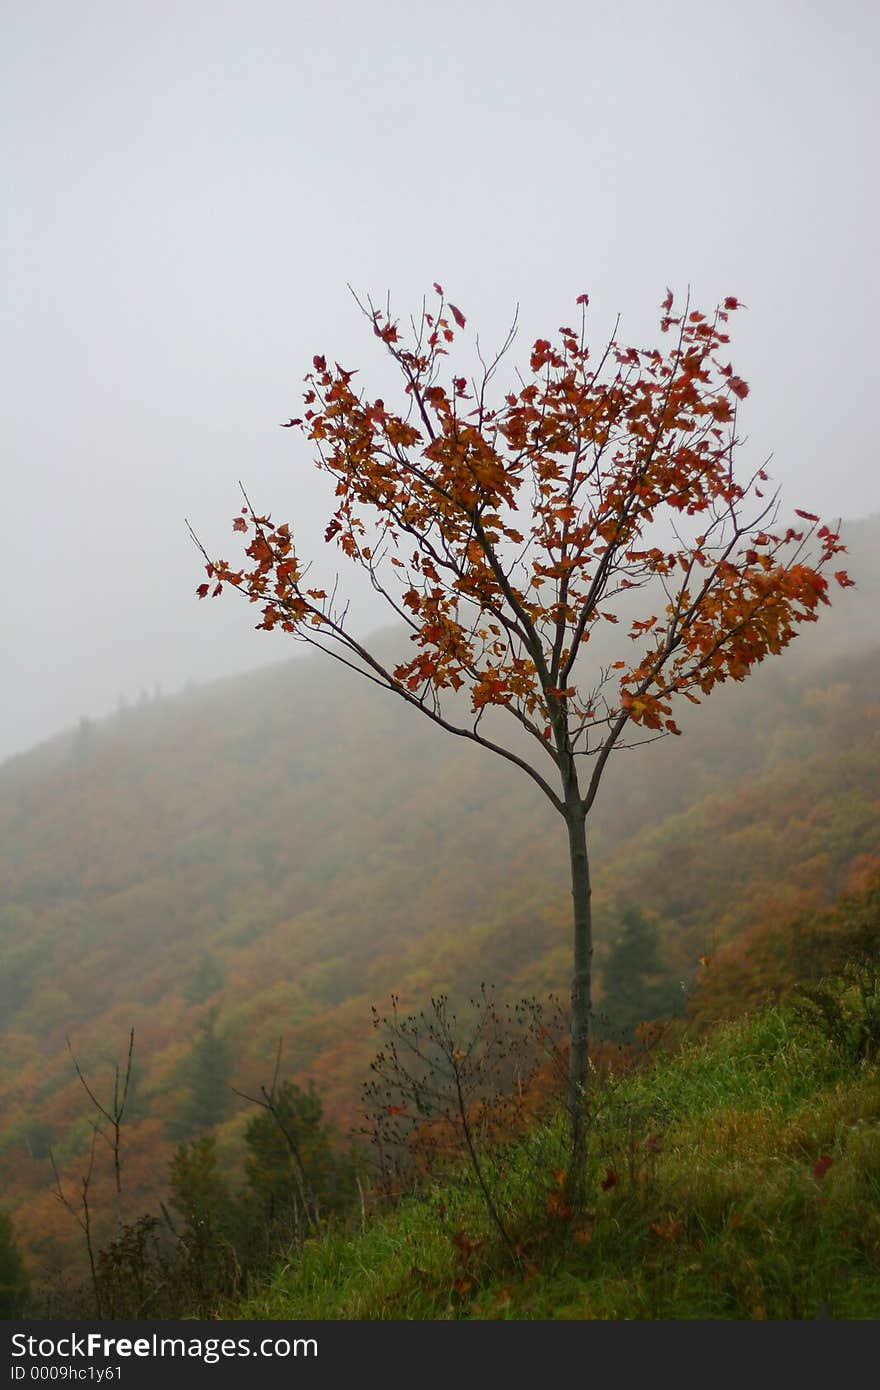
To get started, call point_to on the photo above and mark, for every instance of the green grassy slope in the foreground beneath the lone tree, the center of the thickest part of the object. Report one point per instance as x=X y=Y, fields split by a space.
x=717 y=1209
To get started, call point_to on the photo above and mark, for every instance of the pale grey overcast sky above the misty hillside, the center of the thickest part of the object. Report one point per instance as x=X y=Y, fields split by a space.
x=191 y=186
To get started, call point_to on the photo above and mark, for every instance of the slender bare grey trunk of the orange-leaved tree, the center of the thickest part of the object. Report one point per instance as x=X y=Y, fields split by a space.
x=582 y=1001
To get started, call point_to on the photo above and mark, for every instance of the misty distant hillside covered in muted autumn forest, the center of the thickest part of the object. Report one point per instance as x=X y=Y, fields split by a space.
x=290 y=847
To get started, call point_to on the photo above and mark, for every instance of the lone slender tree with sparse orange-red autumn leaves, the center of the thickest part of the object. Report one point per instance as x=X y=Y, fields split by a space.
x=507 y=534
